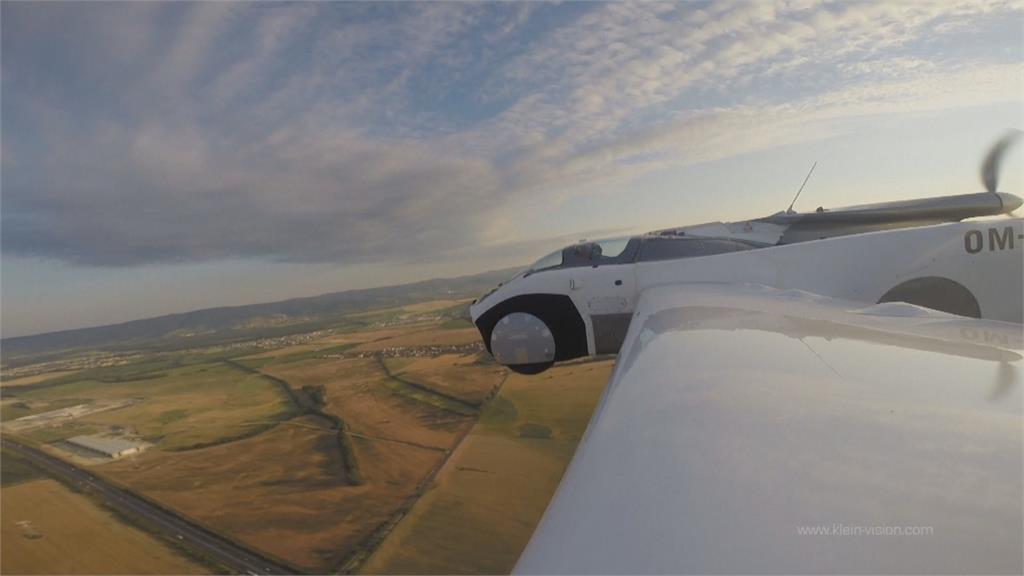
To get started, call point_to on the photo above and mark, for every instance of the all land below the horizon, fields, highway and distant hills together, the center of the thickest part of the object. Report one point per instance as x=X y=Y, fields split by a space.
x=365 y=432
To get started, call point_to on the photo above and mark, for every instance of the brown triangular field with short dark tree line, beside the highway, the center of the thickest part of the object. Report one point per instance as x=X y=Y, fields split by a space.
x=281 y=491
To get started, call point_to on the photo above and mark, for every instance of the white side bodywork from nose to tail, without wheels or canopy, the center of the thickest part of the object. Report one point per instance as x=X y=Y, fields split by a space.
x=859 y=268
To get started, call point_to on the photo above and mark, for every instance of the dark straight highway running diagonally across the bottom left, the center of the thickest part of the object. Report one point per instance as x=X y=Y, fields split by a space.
x=225 y=552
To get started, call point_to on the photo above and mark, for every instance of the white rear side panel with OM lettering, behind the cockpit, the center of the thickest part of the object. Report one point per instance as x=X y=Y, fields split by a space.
x=865 y=267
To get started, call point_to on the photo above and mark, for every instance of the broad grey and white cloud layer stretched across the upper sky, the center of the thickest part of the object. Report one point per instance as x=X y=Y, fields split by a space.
x=352 y=133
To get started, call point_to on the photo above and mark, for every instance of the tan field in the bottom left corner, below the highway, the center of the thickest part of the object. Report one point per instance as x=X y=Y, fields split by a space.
x=48 y=529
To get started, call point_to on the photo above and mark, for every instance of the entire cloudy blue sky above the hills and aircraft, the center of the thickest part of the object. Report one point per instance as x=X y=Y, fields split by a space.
x=163 y=157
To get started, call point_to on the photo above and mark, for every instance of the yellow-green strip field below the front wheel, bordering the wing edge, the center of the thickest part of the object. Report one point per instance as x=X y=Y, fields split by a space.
x=485 y=504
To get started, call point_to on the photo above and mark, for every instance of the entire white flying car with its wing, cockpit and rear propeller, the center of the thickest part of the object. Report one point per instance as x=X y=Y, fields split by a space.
x=834 y=392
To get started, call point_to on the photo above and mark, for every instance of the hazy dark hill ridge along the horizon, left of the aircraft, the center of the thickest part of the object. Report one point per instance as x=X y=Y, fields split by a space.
x=227 y=324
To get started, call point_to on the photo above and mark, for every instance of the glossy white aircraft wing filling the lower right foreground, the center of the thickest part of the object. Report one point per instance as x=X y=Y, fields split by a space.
x=749 y=430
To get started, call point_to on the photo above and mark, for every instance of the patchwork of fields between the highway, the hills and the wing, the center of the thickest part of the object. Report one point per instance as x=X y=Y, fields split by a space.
x=389 y=442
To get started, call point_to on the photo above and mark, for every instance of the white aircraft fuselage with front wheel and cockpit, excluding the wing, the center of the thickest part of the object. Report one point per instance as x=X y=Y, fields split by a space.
x=580 y=302
